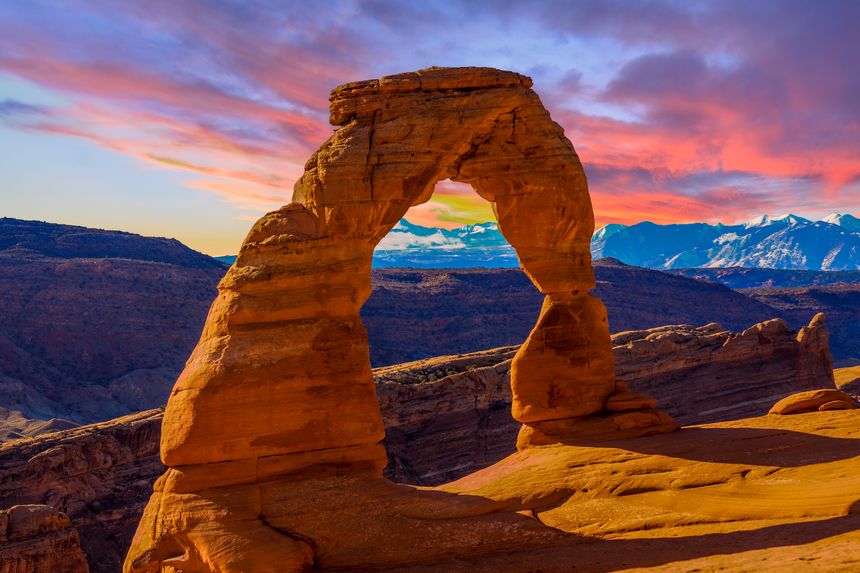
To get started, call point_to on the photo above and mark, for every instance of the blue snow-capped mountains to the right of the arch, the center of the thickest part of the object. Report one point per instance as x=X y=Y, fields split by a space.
x=781 y=242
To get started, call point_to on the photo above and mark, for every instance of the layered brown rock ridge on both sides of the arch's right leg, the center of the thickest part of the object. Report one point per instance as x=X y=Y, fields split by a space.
x=448 y=416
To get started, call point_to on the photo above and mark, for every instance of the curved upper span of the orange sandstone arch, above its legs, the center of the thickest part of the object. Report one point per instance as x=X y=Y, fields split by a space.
x=401 y=134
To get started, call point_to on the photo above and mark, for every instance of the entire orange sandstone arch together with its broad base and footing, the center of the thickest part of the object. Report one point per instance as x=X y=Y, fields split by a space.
x=279 y=389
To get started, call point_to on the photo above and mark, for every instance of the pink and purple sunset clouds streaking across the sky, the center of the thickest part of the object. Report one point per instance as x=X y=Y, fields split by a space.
x=737 y=108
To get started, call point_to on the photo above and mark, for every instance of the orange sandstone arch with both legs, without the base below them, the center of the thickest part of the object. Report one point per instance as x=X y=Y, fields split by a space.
x=284 y=354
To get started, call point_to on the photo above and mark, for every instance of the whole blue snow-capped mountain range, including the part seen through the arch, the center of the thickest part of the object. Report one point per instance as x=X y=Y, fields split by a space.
x=776 y=242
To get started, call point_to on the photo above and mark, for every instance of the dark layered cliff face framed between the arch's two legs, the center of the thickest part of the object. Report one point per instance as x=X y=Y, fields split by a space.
x=445 y=417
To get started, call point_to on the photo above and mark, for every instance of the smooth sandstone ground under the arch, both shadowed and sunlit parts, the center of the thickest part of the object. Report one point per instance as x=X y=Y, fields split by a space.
x=775 y=493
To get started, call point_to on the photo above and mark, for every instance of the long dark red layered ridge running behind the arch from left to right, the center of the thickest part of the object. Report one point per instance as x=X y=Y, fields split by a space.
x=444 y=418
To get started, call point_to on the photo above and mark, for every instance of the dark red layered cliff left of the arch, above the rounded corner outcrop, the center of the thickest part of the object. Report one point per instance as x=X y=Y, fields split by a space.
x=100 y=476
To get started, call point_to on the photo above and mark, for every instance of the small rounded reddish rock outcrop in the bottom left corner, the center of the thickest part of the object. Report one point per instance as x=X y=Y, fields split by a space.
x=39 y=539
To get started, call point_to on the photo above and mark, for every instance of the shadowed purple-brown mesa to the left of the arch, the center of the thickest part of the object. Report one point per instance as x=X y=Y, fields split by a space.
x=94 y=324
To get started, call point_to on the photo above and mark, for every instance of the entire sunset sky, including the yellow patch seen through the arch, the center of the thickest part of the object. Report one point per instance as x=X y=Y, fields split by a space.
x=192 y=118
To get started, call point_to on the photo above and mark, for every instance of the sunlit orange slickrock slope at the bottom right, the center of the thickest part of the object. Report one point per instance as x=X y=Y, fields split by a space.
x=775 y=493
